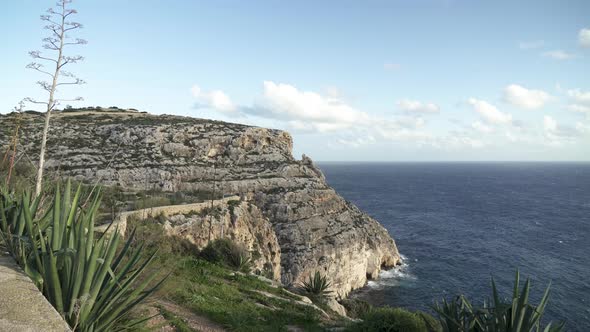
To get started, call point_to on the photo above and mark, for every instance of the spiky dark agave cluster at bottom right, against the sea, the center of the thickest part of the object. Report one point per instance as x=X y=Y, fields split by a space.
x=515 y=315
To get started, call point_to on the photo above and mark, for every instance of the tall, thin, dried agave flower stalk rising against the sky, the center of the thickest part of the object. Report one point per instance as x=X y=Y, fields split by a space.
x=58 y=25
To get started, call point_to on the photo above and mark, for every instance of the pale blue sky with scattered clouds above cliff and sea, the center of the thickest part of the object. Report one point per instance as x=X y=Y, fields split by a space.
x=364 y=80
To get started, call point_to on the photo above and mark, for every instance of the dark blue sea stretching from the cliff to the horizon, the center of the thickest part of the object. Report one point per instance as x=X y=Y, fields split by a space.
x=459 y=224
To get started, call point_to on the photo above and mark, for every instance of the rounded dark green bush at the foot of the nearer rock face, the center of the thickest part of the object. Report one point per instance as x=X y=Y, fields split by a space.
x=227 y=253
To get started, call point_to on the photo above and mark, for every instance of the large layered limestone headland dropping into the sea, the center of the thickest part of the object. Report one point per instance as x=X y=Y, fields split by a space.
x=316 y=229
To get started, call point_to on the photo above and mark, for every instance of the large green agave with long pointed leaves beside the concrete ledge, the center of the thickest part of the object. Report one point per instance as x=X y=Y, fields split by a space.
x=89 y=281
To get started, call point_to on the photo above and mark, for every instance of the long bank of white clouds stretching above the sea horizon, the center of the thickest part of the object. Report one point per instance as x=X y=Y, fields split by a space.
x=346 y=126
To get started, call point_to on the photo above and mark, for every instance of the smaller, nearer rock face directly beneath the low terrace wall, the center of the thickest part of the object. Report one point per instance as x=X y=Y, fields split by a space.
x=200 y=223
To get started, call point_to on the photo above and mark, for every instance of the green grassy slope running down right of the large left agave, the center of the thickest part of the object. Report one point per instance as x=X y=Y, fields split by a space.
x=229 y=298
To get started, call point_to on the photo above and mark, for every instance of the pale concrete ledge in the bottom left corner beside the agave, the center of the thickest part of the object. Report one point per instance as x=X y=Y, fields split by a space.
x=22 y=306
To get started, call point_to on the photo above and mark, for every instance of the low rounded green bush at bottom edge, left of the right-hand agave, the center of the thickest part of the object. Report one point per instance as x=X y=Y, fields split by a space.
x=387 y=319
